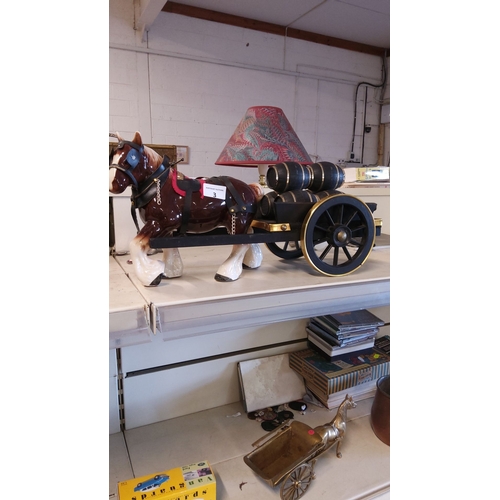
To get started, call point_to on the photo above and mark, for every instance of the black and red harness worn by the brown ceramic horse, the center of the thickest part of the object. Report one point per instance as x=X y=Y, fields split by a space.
x=145 y=191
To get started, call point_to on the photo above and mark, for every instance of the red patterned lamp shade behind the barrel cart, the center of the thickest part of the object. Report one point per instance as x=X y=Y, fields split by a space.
x=263 y=137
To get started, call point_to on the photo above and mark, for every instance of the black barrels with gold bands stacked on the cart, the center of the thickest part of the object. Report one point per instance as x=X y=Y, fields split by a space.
x=293 y=182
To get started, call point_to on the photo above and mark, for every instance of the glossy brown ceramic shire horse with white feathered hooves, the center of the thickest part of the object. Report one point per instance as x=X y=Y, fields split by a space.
x=168 y=201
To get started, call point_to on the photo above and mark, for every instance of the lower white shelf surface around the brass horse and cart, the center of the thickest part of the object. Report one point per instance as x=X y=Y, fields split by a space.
x=223 y=438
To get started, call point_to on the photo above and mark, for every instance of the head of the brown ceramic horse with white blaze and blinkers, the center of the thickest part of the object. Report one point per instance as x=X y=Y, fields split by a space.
x=130 y=162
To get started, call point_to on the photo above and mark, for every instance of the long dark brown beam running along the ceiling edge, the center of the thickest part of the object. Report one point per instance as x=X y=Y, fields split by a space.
x=275 y=29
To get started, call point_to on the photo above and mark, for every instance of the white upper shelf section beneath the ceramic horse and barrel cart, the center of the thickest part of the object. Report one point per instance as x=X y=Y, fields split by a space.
x=279 y=290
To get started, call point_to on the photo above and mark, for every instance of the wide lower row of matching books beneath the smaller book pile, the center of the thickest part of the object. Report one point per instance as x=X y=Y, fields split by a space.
x=355 y=373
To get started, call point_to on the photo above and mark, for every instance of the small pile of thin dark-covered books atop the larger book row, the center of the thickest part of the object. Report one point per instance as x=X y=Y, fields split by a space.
x=341 y=333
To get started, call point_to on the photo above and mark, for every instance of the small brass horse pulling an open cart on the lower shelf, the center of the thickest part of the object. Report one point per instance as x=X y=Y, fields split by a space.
x=288 y=455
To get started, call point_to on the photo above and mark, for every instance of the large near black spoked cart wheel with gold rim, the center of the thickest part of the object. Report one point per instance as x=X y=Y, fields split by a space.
x=338 y=235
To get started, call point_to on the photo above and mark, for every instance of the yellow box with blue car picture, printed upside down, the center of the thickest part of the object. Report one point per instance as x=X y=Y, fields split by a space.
x=190 y=482
